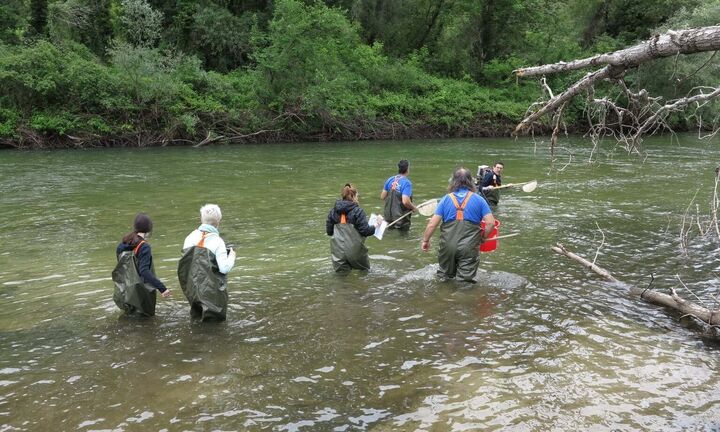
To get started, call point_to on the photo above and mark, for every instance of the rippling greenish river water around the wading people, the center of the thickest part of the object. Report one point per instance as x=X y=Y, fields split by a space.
x=539 y=343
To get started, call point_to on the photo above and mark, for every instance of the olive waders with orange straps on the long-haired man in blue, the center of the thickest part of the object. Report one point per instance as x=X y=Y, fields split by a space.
x=458 y=253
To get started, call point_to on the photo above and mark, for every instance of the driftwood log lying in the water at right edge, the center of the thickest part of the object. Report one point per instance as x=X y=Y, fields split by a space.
x=673 y=301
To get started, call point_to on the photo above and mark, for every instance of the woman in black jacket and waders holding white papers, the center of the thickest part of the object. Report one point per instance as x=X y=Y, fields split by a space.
x=348 y=226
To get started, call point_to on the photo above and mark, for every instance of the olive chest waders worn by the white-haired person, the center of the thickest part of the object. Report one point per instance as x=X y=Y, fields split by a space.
x=202 y=283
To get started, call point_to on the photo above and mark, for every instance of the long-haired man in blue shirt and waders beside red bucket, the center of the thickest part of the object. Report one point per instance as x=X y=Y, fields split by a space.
x=460 y=212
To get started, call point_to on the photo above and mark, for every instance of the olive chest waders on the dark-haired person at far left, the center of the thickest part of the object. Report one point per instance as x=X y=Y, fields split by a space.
x=131 y=294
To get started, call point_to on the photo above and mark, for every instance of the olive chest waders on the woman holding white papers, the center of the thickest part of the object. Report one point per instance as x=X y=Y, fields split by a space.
x=348 y=248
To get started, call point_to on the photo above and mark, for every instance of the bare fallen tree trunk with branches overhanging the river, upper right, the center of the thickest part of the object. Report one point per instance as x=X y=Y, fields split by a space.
x=640 y=113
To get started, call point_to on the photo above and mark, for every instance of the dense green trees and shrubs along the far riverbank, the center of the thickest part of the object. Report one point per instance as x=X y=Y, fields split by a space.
x=157 y=72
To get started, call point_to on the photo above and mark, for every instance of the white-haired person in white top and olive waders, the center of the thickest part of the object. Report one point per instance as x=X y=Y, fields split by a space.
x=204 y=265
